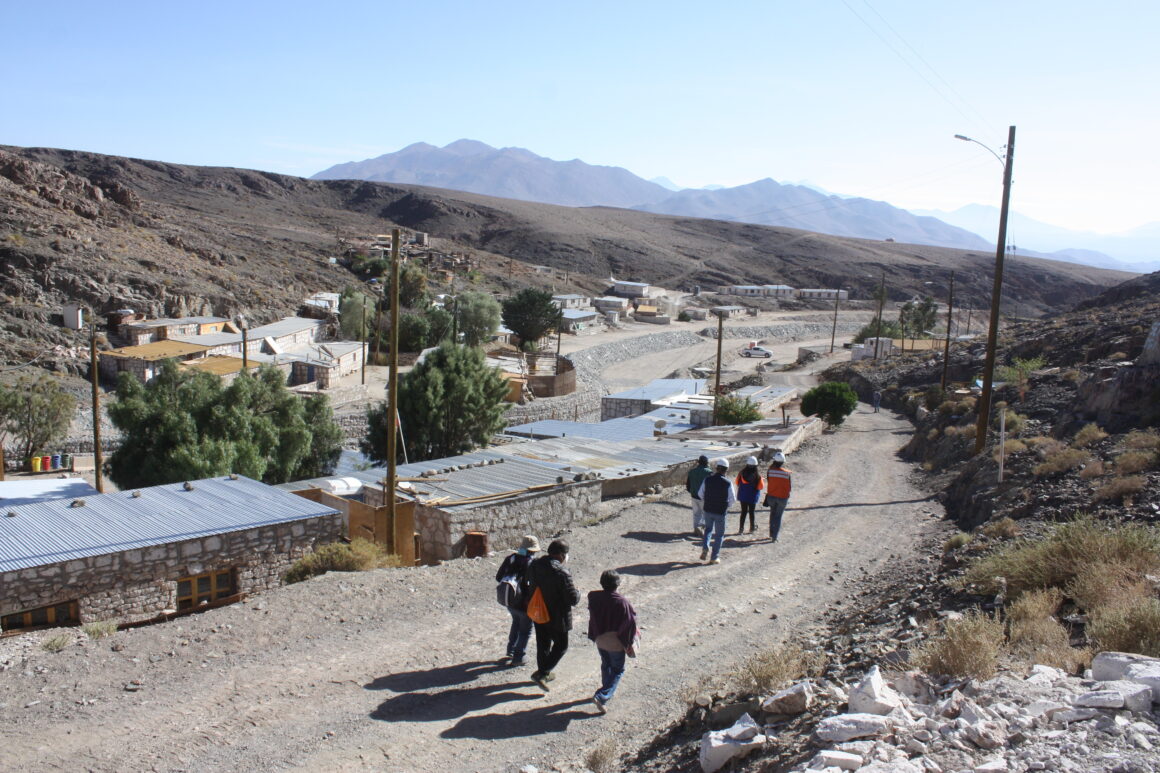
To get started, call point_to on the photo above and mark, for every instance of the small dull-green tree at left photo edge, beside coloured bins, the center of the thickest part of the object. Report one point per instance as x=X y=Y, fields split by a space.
x=35 y=413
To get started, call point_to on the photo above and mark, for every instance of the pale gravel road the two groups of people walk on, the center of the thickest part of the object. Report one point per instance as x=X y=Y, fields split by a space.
x=396 y=670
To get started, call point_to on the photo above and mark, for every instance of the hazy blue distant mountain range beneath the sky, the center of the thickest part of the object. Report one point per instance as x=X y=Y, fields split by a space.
x=518 y=174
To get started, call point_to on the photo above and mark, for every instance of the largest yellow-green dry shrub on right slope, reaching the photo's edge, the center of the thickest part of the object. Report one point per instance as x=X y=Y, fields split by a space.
x=1058 y=558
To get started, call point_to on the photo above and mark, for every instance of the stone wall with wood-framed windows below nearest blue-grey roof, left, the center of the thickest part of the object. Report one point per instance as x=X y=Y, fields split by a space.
x=141 y=583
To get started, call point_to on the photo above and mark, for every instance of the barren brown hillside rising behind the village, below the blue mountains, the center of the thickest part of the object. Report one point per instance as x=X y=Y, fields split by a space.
x=173 y=240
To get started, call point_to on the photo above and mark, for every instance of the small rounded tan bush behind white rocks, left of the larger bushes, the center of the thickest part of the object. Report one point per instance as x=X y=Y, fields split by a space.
x=969 y=647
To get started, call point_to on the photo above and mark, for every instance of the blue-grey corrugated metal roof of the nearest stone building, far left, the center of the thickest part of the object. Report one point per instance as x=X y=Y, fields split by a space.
x=53 y=532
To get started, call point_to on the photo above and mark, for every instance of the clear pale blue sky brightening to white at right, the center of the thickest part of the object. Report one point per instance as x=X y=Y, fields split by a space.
x=857 y=97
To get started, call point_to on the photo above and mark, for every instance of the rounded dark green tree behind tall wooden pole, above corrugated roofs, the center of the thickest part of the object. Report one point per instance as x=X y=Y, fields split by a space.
x=449 y=404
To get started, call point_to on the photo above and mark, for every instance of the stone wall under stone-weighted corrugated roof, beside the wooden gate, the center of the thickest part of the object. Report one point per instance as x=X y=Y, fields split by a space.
x=443 y=533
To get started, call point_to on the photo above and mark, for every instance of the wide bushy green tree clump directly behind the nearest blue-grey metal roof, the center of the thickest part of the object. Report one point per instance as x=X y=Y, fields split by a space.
x=186 y=425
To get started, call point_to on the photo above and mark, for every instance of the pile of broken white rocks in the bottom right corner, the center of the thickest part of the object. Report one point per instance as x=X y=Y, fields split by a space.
x=1048 y=721
